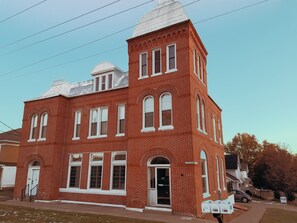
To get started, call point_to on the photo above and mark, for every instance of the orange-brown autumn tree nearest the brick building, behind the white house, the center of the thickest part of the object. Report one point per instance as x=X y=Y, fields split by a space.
x=247 y=147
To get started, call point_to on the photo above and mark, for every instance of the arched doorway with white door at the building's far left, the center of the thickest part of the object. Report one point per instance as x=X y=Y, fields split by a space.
x=33 y=177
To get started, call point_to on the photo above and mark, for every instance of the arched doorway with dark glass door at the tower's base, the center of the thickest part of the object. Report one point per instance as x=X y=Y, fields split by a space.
x=159 y=182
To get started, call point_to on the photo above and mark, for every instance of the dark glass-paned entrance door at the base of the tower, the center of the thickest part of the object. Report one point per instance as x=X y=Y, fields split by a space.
x=163 y=186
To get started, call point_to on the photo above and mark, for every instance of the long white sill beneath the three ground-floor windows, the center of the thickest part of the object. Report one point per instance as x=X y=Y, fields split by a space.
x=93 y=191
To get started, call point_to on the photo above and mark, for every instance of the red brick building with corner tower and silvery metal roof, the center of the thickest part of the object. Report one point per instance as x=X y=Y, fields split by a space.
x=149 y=138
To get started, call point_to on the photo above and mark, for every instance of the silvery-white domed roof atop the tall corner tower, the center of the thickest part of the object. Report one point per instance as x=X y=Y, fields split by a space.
x=167 y=13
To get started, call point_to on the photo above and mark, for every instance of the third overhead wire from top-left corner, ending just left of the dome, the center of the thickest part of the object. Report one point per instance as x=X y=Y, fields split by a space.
x=77 y=28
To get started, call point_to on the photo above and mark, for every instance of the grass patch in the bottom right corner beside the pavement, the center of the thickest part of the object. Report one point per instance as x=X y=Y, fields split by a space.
x=274 y=215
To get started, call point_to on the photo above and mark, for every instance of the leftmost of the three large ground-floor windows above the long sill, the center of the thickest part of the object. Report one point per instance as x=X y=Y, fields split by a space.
x=75 y=161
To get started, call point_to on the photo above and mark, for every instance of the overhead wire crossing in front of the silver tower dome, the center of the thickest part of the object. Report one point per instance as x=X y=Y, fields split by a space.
x=91 y=42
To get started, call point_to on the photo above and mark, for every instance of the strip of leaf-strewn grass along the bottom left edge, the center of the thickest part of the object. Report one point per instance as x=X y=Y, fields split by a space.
x=14 y=214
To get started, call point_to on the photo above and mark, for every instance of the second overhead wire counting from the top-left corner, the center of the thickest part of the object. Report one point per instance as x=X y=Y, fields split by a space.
x=59 y=24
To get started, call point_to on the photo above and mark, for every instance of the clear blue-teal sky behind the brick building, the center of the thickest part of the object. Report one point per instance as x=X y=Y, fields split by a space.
x=252 y=61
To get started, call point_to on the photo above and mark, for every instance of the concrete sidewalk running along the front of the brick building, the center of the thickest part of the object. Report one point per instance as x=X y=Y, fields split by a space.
x=114 y=211
